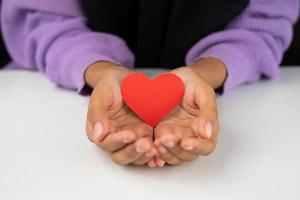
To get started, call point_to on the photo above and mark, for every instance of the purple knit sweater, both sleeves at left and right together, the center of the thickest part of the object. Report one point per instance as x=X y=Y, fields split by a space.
x=51 y=36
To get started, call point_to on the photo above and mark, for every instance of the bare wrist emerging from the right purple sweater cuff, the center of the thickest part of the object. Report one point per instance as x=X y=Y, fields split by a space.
x=212 y=70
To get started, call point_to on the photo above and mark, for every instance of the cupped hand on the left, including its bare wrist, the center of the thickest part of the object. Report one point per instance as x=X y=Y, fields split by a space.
x=111 y=125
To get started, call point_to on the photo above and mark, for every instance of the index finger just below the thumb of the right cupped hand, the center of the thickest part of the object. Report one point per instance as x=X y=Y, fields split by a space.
x=198 y=146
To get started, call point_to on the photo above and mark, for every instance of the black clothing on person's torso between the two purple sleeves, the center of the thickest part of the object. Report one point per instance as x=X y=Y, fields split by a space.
x=160 y=33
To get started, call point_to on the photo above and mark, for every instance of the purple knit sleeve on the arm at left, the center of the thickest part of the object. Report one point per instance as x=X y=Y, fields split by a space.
x=51 y=36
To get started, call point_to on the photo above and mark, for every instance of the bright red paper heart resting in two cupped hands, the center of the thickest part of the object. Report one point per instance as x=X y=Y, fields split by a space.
x=152 y=100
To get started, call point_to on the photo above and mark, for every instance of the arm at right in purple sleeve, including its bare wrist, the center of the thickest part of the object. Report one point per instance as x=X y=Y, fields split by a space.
x=250 y=47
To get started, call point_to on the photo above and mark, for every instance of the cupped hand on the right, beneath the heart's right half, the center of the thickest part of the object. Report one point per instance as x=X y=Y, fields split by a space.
x=192 y=128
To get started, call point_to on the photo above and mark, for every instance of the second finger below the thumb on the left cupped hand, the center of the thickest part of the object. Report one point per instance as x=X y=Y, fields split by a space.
x=132 y=152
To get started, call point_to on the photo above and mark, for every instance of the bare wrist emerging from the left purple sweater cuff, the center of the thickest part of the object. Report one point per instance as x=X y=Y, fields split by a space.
x=103 y=69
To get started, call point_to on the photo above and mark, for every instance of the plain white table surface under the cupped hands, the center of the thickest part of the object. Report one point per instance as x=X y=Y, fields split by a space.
x=45 y=154
